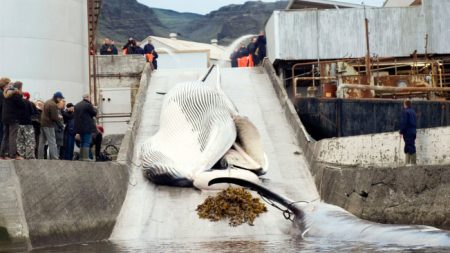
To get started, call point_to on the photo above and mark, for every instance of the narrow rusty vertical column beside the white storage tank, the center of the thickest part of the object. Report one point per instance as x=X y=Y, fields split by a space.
x=94 y=7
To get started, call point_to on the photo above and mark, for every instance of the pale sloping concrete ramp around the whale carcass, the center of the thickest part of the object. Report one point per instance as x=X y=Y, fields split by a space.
x=153 y=212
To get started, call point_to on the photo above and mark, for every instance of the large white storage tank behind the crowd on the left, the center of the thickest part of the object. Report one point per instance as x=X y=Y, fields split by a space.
x=44 y=44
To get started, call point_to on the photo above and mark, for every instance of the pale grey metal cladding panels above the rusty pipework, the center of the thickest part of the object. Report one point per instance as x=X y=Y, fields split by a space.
x=328 y=34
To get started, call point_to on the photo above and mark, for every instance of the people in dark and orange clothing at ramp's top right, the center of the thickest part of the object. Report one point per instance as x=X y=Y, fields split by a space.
x=250 y=55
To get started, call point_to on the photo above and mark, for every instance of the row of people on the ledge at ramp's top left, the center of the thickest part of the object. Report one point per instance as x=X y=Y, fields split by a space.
x=130 y=48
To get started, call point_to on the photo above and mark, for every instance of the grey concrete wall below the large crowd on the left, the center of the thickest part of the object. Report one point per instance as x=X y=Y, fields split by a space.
x=59 y=202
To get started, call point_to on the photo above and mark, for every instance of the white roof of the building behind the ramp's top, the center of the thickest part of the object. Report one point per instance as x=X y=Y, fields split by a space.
x=179 y=46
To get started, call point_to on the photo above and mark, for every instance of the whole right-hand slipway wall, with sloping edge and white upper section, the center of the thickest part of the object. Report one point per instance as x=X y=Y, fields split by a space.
x=389 y=193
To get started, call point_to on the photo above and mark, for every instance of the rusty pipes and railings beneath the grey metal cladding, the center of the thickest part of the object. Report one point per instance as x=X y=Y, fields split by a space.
x=390 y=78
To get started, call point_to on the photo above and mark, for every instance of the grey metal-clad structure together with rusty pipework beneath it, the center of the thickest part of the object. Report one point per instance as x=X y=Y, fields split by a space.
x=384 y=53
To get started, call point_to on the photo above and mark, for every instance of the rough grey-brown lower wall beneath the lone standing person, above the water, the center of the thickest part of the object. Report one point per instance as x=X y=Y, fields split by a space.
x=395 y=195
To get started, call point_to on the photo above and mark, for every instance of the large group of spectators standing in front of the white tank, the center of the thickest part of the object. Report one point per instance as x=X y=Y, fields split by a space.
x=29 y=129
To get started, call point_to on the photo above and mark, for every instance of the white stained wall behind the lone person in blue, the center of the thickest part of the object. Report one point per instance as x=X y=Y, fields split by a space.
x=385 y=150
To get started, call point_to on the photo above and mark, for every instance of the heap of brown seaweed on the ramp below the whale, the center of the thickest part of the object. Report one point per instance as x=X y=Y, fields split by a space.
x=235 y=204
